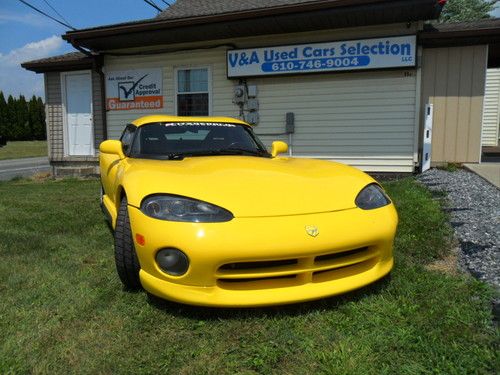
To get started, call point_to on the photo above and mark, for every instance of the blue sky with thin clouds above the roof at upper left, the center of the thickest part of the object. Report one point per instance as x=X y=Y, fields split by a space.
x=26 y=35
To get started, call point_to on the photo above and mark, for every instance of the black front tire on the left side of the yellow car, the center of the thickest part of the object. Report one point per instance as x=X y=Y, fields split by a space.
x=127 y=264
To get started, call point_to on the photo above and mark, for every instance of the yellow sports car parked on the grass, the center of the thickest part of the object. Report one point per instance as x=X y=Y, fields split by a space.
x=203 y=214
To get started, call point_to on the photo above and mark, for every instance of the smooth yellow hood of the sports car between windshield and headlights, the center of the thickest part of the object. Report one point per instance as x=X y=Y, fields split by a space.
x=249 y=186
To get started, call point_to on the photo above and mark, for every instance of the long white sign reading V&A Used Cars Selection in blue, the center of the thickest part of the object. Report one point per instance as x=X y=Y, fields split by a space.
x=390 y=52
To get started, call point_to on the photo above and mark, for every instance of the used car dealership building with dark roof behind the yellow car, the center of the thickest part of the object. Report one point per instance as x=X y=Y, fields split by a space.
x=320 y=75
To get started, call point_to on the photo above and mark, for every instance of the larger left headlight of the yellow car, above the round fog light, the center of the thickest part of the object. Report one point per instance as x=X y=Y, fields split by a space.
x=176 y=208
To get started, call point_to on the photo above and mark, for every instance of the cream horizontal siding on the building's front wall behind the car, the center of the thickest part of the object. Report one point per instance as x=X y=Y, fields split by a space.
x=366 y=119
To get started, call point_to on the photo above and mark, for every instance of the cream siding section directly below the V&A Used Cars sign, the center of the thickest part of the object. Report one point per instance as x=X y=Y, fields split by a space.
x=363 y=119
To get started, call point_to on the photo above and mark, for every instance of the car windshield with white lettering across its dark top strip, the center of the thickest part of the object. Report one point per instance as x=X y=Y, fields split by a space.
x=176 y=140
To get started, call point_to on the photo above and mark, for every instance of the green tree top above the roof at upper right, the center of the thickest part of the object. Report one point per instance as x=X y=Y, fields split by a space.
x=466 y=10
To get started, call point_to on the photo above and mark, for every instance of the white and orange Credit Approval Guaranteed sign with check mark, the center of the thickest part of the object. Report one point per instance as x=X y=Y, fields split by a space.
x=134 y=89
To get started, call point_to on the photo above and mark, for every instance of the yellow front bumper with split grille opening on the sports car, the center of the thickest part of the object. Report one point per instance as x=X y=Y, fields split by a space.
x=268 y=260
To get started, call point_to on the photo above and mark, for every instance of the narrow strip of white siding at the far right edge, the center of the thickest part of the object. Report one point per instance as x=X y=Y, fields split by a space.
x=491 y=110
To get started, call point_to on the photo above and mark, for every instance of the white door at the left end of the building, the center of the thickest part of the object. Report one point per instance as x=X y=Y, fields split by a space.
x=78 y=102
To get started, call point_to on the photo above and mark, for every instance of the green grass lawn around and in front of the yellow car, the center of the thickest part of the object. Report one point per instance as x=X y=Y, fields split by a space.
x=62 y=308
